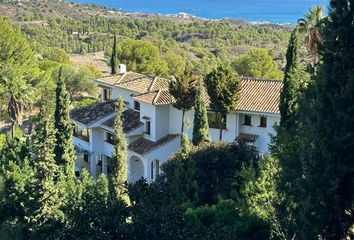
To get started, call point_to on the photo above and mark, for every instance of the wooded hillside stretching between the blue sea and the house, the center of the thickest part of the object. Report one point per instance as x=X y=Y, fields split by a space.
x=83 y=28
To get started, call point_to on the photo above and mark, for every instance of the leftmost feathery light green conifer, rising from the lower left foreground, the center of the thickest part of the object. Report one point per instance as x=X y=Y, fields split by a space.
x=46 y=198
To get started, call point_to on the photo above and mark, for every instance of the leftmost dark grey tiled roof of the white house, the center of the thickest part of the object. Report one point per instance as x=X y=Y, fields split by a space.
x=93 y=113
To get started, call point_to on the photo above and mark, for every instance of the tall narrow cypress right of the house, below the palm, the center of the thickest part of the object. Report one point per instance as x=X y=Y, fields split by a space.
x=289 y=140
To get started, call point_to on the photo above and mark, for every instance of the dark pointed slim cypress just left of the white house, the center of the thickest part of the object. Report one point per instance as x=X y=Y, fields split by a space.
x=64 y=148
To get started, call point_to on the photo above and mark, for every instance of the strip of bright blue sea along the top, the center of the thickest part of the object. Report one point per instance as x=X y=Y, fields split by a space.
x=272 y=11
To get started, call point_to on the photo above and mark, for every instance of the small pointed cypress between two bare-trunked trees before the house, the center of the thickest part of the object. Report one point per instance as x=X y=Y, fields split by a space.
x=200 y=123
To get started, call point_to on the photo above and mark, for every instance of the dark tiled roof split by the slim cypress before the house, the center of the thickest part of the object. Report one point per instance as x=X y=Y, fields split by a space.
x=131 y=121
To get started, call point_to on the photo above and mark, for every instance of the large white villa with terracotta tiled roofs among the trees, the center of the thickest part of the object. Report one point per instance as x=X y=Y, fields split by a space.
x=152 y=125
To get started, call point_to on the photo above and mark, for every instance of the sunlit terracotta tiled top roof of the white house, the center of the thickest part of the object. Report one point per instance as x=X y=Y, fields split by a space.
x=256 y=95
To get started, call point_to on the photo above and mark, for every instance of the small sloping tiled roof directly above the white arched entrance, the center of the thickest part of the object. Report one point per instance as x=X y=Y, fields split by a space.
x=143 y=146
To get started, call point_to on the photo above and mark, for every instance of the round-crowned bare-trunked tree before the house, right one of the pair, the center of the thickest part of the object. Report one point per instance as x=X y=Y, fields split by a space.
x=224 y=88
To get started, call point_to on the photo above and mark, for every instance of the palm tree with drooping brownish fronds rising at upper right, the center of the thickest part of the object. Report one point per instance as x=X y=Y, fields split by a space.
x=310 y=26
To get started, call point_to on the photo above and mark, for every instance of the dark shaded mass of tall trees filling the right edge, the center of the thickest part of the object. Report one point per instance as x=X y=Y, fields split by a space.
x=313 y=146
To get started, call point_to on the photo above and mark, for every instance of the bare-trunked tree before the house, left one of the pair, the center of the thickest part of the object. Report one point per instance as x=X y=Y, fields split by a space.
x=183 y=89
